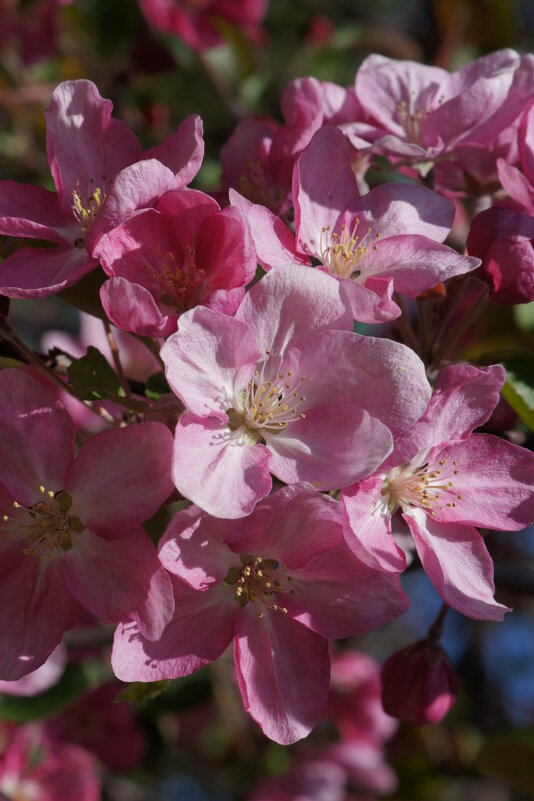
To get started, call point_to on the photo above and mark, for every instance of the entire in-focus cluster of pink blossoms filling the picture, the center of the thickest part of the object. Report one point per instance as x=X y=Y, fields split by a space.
x=370 y=443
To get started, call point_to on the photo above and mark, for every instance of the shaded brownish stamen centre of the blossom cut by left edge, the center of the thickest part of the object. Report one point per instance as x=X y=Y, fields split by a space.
x=48 y=524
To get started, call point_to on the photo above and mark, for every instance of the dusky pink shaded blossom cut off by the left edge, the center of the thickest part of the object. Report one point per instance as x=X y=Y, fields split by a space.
x=70 y=529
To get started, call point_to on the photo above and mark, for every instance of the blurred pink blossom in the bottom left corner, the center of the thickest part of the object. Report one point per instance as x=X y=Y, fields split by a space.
x=33 y=768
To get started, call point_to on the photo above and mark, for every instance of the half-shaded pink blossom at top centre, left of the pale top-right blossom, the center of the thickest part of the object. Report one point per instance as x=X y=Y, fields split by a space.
x=259 y=157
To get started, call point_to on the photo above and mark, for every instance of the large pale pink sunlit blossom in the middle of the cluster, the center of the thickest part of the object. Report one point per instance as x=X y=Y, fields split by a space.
x=284 y=387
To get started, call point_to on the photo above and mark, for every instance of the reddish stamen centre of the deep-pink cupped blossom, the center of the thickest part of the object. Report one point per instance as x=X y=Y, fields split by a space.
x=180 y=287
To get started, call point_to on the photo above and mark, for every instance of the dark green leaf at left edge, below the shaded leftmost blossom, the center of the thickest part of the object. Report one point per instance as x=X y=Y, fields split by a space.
x=72 y=684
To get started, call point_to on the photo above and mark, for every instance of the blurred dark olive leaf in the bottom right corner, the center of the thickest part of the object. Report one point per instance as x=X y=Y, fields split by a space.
x=510 y=757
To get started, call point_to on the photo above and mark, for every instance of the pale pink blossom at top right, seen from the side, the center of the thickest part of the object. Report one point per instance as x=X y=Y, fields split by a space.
x=423 y=112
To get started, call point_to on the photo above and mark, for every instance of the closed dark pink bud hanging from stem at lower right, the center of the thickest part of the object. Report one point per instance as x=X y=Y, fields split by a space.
x=418 y=683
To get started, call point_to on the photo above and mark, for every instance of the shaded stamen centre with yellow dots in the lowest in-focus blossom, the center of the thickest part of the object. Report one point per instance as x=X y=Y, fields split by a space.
x=260 y=581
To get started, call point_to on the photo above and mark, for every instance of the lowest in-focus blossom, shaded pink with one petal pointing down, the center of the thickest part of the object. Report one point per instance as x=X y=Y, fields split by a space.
x=280 y=584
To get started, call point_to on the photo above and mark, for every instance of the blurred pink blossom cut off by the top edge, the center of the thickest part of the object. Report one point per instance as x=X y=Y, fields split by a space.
x=200 y=24
